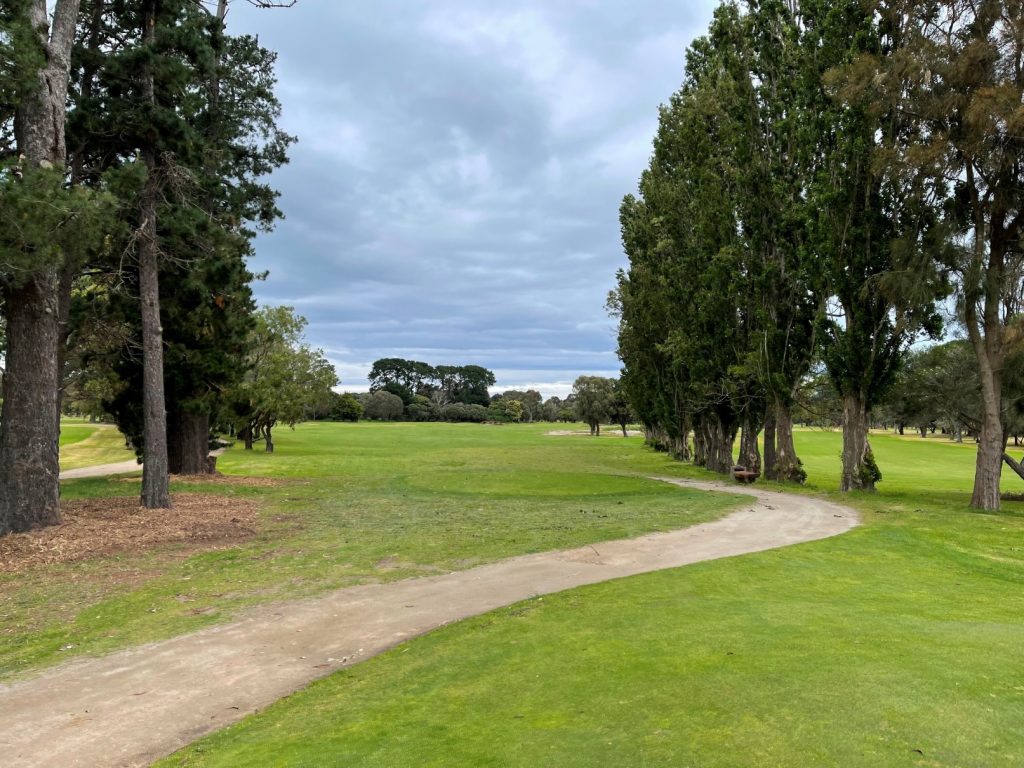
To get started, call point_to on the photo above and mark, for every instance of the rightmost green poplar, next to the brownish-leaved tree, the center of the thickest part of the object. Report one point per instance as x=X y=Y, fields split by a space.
x=874 y=239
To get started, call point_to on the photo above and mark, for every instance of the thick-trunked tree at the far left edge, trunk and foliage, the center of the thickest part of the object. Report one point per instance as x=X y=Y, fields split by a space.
x=35 y=83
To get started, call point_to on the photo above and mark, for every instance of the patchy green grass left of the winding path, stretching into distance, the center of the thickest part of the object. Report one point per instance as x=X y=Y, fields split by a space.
x=359 y=503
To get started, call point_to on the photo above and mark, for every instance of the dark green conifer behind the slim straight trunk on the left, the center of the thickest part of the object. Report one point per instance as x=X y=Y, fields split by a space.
x=216 y=201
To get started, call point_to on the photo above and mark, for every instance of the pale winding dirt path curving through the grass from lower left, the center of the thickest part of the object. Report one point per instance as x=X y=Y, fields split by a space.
x=136 y=706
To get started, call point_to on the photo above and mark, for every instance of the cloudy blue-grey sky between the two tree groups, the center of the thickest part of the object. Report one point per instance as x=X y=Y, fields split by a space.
x=454 y=195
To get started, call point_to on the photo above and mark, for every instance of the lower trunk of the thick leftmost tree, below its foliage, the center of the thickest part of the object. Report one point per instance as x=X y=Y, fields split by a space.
x=30 y=430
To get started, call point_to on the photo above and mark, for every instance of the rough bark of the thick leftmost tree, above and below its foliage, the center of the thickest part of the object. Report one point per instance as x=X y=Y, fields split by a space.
x=30 y=434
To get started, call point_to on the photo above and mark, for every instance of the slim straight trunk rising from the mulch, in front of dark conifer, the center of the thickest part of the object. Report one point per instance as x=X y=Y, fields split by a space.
x=156 y=494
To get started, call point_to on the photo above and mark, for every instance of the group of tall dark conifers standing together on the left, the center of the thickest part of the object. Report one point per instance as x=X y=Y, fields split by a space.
x=135 y=141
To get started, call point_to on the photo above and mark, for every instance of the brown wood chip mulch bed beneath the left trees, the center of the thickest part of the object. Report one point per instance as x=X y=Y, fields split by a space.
x=94 y=528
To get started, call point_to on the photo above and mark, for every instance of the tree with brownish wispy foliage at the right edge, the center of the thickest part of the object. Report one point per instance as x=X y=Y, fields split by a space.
x=959 y=81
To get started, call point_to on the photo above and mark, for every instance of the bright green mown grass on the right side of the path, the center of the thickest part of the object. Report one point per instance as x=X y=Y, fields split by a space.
x=902 y=644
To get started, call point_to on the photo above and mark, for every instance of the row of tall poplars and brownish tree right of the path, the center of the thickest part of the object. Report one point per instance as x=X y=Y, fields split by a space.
x=828 y=174
